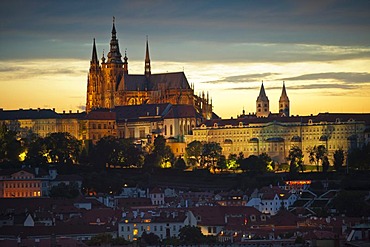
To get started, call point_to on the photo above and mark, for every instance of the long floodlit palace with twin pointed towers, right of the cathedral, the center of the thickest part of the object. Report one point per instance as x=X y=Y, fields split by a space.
x=276 y=133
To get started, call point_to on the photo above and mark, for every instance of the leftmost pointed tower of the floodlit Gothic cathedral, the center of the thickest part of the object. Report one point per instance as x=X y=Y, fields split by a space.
x=94 y=83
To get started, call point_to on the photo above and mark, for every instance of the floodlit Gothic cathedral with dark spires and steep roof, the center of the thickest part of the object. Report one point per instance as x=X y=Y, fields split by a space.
x=110 y=84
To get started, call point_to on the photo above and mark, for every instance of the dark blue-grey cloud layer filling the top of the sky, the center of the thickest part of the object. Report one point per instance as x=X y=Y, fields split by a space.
x=192 y=30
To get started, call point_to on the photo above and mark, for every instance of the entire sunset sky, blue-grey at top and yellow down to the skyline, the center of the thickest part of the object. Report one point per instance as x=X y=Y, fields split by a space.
x=321 y=49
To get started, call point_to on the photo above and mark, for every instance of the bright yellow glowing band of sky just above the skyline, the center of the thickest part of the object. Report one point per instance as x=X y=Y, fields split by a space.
x=61 y=84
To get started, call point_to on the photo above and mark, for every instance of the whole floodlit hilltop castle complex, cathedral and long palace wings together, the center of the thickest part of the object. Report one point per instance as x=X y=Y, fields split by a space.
x=142 y=106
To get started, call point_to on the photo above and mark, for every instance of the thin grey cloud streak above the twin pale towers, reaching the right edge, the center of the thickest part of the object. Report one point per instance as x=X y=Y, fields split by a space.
x=345 y=77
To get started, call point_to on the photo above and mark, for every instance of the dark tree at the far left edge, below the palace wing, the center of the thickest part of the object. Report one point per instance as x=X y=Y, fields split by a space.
x=10 y=147
